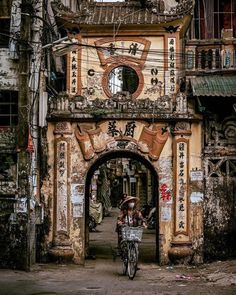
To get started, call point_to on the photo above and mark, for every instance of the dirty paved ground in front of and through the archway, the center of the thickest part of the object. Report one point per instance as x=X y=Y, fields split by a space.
x=103 y=276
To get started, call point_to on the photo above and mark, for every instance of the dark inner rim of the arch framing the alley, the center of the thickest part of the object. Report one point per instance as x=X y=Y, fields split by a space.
x=123 y=154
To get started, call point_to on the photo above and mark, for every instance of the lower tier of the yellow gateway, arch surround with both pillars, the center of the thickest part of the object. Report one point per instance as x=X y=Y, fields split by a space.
x=79 y=147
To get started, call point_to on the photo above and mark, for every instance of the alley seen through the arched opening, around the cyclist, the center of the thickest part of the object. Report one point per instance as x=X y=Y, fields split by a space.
x=107 y=179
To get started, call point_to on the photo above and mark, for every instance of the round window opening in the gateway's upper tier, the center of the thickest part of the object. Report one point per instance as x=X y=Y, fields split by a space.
x=123 y=78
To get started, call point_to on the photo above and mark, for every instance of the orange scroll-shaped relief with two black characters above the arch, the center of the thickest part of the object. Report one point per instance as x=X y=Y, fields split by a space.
x=150 y=142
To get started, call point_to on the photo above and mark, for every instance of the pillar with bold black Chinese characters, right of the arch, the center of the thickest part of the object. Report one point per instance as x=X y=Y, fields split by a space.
x=180 y=251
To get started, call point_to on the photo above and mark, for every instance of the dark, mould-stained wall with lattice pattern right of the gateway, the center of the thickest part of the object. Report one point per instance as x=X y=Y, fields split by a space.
x=220 y=183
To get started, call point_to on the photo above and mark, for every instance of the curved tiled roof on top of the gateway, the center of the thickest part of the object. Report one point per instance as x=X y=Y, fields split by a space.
x=131 y=12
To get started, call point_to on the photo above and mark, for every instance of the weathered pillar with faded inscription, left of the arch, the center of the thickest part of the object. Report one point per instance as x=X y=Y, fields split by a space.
x=62 y=248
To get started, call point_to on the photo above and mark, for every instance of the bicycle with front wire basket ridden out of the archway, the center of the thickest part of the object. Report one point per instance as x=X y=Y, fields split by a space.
x=131 y=237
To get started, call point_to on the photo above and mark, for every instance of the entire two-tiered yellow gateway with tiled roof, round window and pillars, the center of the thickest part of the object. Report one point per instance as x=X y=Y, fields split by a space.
x=126 y=93
